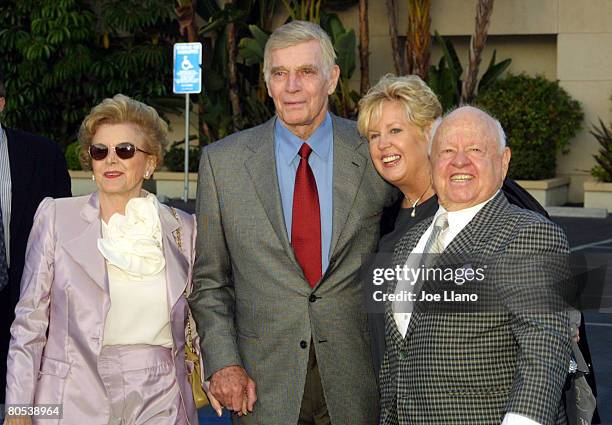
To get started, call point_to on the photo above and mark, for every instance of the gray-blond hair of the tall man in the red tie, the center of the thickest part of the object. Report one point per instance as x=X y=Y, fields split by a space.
x=294 y=33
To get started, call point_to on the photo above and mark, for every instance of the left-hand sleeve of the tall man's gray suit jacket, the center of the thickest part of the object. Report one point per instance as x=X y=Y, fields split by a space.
x=212 y=300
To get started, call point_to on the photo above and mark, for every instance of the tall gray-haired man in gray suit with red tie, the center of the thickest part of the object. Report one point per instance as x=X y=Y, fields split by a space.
x=286 y=211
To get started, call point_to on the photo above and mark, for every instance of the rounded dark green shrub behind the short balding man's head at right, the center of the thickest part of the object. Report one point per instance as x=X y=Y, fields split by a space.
x=539 y=118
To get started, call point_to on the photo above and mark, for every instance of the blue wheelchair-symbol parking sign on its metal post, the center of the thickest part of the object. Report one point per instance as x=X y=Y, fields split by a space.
x=187 y=79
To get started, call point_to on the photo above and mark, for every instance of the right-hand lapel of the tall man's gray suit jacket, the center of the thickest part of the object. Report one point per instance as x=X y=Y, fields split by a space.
x=349 y=168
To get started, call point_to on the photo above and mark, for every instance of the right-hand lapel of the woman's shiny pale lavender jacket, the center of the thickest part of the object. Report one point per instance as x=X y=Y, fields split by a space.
x=176 y=260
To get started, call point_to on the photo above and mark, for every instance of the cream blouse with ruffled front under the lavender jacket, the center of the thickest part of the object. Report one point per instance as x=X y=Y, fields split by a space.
x=132 y=246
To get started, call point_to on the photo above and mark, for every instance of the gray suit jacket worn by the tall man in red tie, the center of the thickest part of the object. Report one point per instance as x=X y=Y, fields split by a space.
x=251 y=301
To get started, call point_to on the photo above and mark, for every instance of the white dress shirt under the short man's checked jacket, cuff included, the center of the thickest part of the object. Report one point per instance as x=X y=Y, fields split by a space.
x=457 y=220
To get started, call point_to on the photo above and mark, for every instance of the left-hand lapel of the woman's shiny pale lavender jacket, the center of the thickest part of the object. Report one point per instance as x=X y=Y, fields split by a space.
x=84 y=248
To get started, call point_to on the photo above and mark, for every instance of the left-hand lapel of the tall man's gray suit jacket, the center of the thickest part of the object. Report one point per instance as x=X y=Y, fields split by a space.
x=261 y=166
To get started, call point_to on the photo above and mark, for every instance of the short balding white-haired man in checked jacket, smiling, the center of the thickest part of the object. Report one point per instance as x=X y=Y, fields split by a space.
x=488 y=367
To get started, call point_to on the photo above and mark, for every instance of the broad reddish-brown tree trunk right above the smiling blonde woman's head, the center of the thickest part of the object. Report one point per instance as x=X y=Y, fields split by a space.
x=417 y=48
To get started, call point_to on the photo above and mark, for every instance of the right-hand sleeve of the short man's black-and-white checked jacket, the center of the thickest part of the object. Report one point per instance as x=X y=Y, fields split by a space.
x=536 y=272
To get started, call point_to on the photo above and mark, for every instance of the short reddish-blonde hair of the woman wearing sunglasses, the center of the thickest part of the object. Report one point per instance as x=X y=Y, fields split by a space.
x=121 y=109
